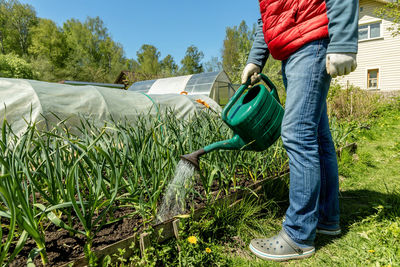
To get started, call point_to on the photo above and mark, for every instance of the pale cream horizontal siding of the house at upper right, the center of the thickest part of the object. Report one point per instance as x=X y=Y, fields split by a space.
x=382 y=54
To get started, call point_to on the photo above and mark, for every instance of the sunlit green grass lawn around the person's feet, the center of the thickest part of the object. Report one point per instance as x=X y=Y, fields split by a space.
x=369 y=202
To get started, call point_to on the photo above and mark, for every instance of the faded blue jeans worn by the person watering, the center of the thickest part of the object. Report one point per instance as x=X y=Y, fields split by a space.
x=314 y=183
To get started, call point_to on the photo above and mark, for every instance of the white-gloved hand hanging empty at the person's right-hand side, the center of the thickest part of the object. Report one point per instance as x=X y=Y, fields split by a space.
x=338 y=64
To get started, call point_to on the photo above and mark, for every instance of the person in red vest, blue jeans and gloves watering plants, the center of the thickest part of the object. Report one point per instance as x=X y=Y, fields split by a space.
x=315 y=40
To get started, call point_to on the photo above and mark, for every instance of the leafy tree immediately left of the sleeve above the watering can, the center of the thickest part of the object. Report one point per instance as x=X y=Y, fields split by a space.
x=236 y=47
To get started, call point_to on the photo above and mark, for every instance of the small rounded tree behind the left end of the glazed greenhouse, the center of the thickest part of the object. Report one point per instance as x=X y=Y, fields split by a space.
x=148 y=58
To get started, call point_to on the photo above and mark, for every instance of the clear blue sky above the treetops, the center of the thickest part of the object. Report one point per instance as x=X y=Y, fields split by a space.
x=171 y=26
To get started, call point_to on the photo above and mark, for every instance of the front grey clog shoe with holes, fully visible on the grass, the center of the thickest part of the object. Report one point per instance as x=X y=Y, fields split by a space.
x=279 y=248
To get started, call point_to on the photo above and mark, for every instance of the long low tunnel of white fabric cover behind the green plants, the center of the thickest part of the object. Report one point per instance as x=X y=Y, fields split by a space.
x=46 y=103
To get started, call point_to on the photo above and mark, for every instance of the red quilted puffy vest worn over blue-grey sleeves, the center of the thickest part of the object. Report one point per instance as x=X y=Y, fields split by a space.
x=290 y=24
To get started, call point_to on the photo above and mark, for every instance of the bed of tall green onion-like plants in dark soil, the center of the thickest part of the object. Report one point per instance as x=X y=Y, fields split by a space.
x=63 y=195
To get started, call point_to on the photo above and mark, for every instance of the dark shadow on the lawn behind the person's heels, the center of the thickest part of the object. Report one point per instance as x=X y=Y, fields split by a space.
x=357 y=205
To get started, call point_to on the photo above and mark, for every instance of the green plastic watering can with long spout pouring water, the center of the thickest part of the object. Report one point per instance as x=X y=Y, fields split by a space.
x=255 y=117
